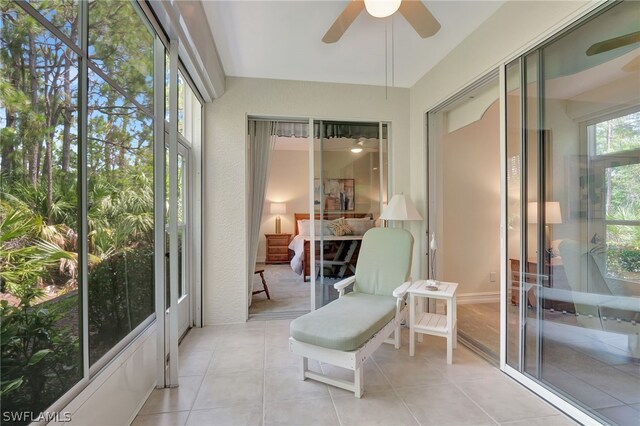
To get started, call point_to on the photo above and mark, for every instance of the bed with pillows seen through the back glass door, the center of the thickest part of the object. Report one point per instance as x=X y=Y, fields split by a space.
x=341 y=252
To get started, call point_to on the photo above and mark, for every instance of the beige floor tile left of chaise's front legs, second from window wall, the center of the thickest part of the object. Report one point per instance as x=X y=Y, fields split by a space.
x=222 y=390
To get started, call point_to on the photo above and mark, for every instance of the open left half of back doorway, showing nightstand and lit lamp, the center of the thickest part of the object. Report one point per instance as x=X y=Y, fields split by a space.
x=287 y=295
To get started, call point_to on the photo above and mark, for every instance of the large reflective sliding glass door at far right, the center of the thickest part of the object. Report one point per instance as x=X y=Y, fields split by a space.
x=573 y=214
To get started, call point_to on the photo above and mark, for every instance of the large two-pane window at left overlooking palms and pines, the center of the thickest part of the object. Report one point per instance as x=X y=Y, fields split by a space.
x=43 y=150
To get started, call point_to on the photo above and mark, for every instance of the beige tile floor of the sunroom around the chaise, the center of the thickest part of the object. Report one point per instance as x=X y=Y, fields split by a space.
x=244 y=375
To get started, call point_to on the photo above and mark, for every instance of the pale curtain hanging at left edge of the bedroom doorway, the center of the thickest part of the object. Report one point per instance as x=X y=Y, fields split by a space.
x=262 y=139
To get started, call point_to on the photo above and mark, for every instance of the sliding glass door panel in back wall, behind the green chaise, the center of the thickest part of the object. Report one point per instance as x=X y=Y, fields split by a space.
x=350 y=185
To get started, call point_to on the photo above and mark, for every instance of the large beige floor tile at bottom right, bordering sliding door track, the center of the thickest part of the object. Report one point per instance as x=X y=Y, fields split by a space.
x=504 y=400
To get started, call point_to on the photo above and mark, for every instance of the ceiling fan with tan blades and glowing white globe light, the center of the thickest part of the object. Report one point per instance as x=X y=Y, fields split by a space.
x=414 y=11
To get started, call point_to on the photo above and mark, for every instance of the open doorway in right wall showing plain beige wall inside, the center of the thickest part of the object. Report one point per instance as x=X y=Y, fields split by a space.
x=464 y=208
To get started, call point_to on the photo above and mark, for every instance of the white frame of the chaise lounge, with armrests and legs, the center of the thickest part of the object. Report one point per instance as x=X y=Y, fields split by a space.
x=351 y=360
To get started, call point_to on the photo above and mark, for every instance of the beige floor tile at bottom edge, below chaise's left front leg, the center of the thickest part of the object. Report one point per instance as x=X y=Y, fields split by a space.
x=301 y=412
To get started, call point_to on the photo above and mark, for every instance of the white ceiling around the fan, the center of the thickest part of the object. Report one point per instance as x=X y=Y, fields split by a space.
x=282 y=40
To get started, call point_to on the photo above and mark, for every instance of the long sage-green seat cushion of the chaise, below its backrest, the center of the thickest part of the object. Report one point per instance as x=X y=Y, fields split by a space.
x=346 y=323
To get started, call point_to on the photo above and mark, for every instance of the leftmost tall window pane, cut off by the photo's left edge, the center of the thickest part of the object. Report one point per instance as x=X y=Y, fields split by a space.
x=41 y=356
